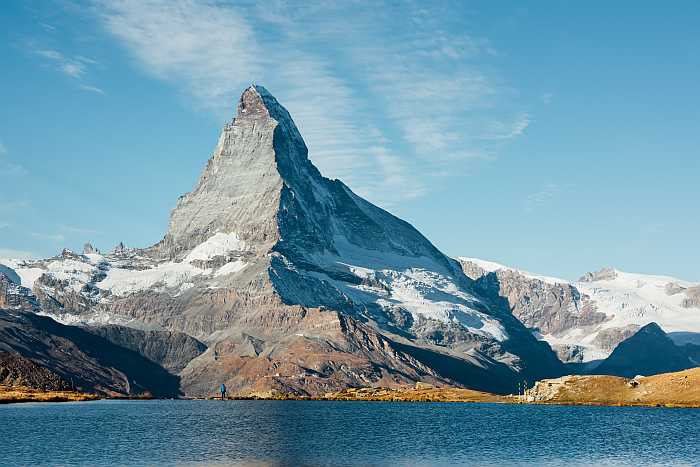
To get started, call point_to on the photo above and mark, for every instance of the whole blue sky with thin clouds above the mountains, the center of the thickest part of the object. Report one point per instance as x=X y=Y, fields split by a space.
x=558 y=137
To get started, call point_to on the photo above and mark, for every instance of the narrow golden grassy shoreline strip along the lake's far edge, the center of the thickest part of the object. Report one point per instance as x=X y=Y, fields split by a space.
x=668 y=390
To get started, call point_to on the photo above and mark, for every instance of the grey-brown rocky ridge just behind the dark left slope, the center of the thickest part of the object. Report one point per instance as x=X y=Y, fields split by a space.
x=171 y=350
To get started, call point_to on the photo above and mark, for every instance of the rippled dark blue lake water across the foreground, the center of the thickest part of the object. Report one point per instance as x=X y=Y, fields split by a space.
x=343 y=433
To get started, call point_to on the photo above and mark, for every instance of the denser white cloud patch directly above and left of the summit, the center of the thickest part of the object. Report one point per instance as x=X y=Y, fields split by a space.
x=205 y=45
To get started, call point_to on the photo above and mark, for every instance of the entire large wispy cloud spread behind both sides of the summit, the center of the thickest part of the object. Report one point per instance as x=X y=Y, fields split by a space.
x=403 y=101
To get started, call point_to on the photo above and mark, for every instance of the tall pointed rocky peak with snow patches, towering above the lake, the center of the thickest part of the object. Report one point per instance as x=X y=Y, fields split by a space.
x=293 y=282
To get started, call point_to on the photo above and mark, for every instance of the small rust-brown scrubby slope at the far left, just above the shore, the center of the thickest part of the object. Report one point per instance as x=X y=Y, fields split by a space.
x=16 y=370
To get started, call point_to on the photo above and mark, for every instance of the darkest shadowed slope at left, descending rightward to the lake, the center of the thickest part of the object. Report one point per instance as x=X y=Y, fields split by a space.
x=90 y=362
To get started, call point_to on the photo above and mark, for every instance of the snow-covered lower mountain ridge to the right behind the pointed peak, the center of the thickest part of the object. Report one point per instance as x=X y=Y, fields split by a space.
x=585 y=320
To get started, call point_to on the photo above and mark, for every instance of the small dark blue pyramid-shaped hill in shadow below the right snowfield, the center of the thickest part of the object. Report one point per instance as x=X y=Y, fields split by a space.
x=648 y=352
